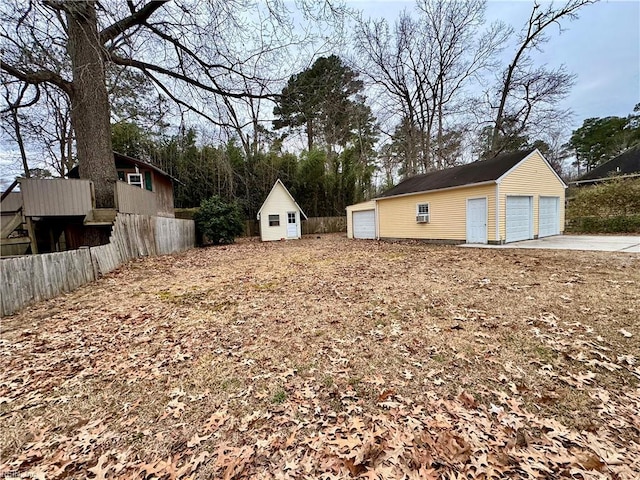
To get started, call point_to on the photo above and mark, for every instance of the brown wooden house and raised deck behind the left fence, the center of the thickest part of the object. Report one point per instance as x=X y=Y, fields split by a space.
x=50 y=215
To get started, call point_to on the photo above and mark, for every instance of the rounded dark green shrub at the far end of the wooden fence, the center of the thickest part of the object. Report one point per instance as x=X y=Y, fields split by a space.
x=218 y=222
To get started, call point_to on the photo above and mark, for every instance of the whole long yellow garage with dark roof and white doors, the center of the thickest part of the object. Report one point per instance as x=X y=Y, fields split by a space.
x=512 y=197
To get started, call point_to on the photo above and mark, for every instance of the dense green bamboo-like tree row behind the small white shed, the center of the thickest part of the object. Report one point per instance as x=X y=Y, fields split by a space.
x=204 y=170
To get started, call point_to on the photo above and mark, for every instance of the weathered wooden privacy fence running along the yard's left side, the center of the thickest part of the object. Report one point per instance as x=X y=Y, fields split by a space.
x=33 y=278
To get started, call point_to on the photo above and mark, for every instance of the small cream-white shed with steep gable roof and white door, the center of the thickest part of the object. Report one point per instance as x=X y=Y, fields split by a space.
x=280 y=216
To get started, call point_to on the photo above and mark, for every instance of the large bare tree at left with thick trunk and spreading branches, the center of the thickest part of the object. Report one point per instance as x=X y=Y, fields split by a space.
x=185 y=48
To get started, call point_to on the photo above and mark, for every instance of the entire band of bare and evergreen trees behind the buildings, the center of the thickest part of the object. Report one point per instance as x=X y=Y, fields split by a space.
x=425 y=91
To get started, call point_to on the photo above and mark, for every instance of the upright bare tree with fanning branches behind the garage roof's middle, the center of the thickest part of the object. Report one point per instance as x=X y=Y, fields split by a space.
x=425 y=64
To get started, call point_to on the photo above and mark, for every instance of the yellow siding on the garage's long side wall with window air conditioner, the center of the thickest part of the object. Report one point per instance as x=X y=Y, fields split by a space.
x=447 y=210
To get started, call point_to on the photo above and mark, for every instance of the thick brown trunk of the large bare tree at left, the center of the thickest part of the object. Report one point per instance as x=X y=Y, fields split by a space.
x=90 y=114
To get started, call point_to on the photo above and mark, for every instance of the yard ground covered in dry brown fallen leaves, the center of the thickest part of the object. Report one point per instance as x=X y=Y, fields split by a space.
x=328 y=358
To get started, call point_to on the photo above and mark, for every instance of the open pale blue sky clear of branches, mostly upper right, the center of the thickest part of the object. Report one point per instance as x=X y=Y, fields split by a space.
x=601 y=47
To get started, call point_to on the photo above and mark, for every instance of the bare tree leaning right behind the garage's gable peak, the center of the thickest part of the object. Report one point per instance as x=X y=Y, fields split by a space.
x=529 y=95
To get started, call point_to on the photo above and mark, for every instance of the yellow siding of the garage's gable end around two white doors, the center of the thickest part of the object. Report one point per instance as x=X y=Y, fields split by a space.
x=532 y=177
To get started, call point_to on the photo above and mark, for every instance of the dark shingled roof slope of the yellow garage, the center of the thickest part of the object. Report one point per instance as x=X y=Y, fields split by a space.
x=469 y=174
